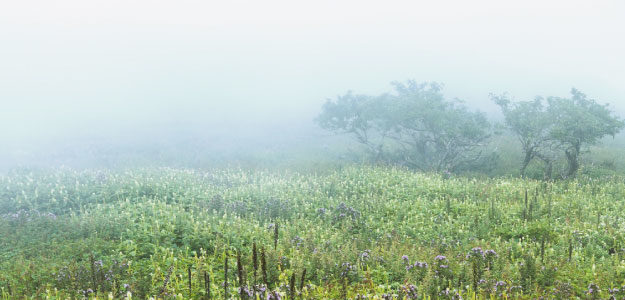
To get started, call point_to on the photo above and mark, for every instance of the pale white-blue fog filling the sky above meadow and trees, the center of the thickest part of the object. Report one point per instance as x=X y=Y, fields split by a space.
x=239 y=75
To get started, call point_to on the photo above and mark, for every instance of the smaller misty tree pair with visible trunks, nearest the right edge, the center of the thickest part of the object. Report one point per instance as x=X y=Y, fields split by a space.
x=563 y=124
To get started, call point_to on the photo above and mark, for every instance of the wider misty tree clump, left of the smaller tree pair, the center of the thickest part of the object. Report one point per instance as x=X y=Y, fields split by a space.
x=415 y=126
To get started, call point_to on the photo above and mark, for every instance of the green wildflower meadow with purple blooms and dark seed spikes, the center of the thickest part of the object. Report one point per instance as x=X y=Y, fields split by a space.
x=357 y=233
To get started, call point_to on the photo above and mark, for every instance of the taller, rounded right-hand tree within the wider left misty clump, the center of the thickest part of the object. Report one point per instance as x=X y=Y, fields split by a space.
x=434 y=133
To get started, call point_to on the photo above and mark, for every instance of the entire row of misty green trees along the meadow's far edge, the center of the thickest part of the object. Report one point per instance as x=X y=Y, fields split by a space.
x=417 y=127
